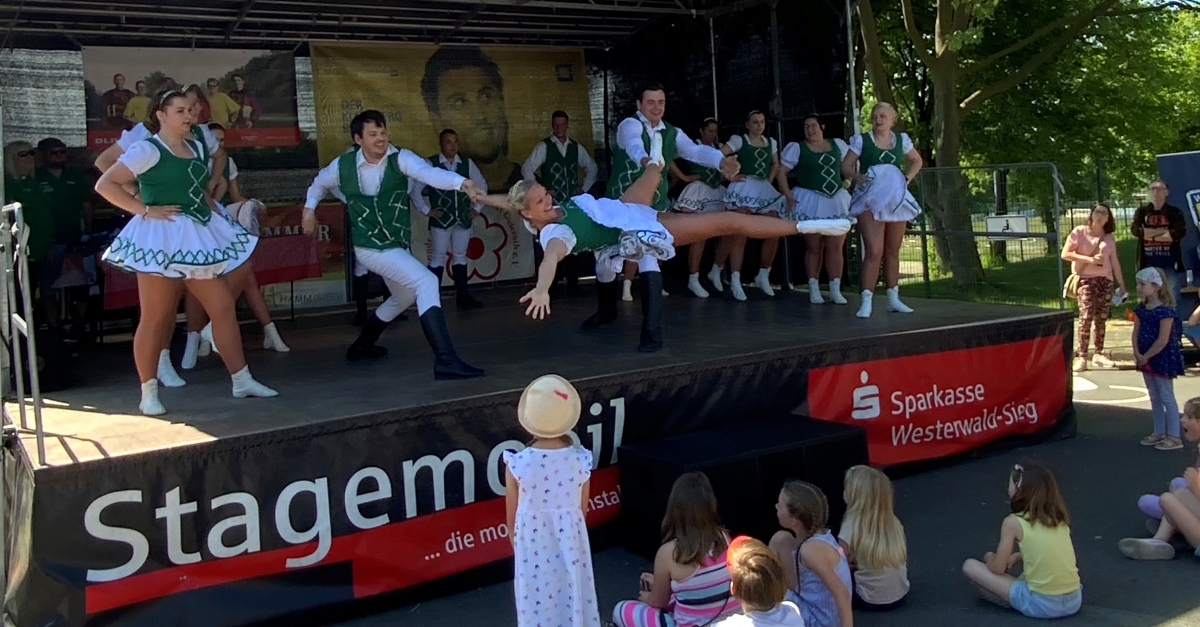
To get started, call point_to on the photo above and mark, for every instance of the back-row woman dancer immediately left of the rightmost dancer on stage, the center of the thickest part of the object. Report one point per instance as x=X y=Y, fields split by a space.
x=819 y=194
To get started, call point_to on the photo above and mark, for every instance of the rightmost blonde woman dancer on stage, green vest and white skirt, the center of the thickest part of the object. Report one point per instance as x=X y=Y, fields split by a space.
x=881 y=202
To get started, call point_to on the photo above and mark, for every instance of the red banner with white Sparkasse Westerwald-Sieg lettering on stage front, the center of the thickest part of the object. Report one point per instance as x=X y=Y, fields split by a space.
x=940 y=404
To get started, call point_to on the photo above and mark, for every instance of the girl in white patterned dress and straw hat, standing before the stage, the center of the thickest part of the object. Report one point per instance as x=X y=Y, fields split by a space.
x=547 y=495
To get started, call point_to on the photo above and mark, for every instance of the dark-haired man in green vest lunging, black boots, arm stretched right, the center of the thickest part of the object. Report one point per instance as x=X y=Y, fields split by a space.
x=374 y=182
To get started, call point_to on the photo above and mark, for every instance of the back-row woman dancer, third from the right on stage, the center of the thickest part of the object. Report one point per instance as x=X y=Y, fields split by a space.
x=752 y=193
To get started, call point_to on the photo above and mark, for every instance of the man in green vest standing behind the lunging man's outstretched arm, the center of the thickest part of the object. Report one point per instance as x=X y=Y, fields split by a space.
x=451 y=216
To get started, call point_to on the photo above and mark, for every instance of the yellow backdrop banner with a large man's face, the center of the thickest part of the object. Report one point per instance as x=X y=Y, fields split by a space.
x=497 y=99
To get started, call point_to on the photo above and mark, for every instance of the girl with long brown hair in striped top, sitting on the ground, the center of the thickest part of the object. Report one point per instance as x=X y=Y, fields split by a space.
x=691 y=583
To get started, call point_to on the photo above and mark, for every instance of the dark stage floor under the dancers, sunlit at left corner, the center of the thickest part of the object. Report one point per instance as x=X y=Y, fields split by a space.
x=99 y=419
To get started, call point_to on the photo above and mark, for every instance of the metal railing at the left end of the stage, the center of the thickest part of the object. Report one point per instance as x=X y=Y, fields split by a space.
x=20 y=318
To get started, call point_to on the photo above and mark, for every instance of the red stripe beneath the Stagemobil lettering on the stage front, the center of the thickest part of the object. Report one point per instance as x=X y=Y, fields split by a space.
x=389 y=558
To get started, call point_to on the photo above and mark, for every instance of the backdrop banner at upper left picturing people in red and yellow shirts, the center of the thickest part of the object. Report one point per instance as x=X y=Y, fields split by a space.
x=251 y=93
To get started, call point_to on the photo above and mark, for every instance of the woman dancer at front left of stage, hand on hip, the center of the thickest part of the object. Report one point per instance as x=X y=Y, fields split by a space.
x=175 y=237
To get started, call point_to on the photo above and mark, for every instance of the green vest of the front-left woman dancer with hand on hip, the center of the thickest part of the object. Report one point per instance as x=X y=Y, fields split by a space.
x=181 y=182
